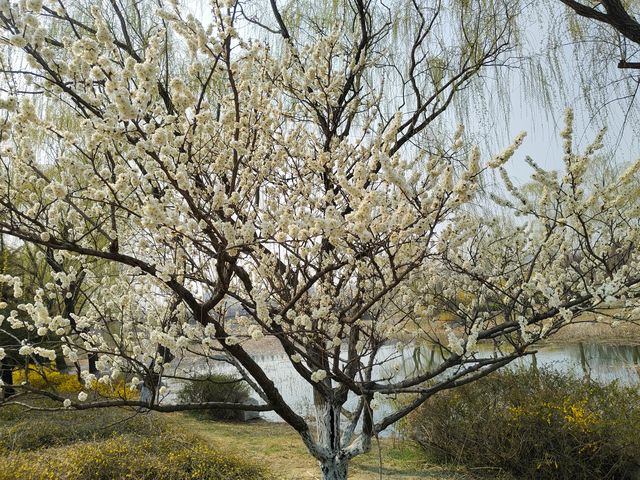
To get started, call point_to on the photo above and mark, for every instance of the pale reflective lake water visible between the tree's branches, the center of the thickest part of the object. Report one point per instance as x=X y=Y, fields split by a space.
x=604 y=363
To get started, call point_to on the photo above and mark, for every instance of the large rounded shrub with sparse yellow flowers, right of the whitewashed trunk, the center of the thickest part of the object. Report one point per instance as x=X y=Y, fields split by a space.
x=534 y=423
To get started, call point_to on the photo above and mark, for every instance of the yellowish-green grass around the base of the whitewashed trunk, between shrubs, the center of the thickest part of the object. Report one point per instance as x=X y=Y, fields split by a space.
x=278 y=446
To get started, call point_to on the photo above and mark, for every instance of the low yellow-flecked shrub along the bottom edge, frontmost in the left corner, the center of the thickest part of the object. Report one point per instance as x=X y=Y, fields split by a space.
x=129 y=457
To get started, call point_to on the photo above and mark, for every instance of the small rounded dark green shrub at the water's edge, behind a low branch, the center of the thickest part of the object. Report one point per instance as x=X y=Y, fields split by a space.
x=216 y=388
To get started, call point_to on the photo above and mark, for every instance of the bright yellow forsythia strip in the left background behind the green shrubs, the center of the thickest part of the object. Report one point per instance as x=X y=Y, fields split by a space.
x=44 y=378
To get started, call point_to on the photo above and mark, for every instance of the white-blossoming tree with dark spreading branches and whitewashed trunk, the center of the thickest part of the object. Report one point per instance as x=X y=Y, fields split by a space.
x=300 y=183
